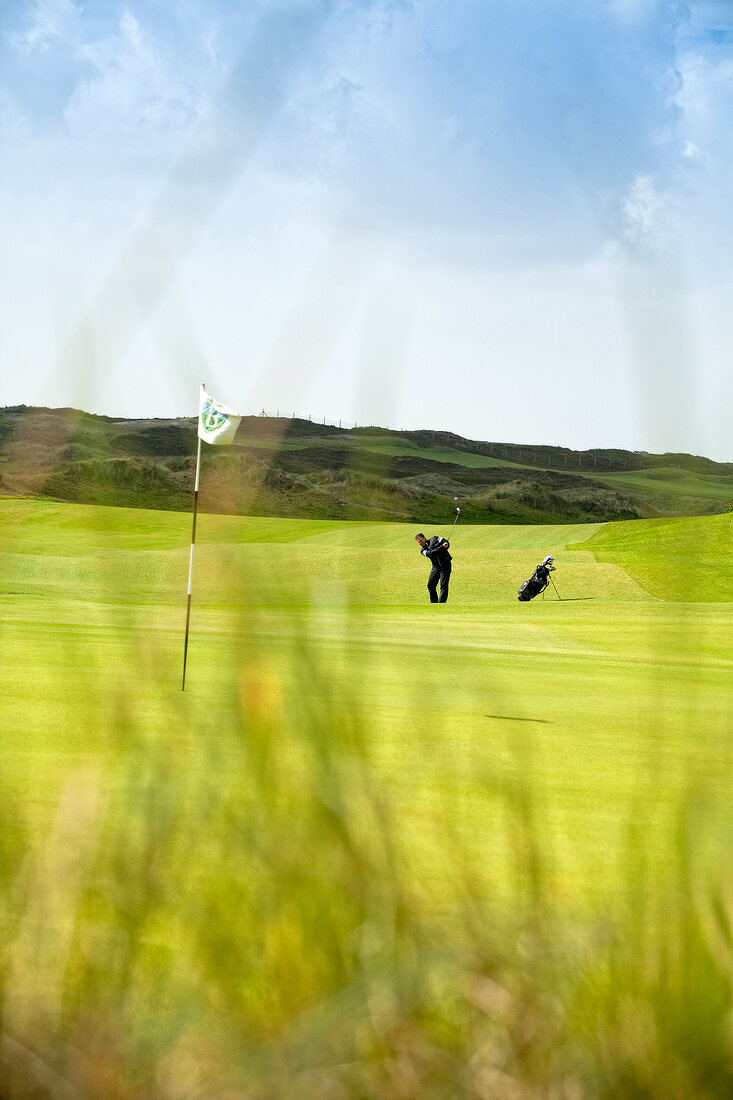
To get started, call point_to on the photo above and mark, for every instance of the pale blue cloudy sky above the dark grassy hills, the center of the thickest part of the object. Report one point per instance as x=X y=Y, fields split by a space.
x=510 y=219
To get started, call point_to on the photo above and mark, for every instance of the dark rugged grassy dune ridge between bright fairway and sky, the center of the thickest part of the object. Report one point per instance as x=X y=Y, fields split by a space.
x=297 y=468
